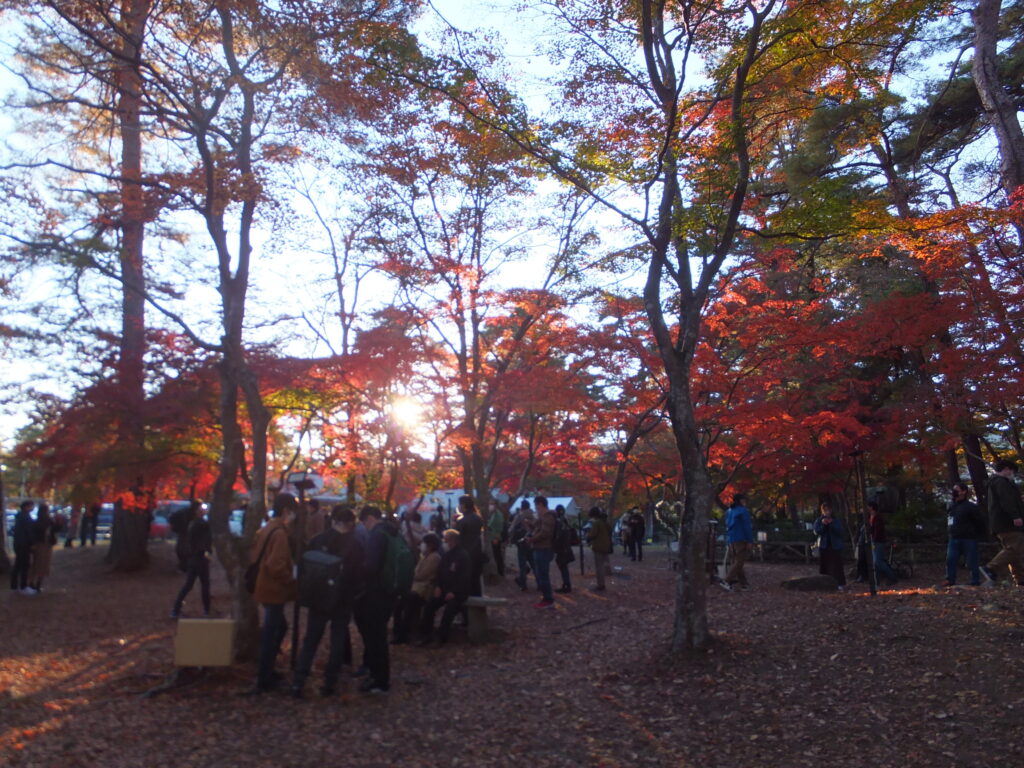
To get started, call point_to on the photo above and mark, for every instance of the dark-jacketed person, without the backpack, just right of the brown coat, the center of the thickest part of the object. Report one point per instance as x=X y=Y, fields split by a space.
x=340 y=541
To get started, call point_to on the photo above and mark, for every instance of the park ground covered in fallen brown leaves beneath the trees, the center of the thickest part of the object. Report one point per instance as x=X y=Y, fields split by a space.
x=917 y=676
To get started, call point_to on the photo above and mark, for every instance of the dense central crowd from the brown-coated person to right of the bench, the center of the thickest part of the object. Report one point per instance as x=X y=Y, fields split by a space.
x=375 y=571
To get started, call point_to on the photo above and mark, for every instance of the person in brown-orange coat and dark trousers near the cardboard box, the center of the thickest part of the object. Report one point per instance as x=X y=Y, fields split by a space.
x=276 y=586
